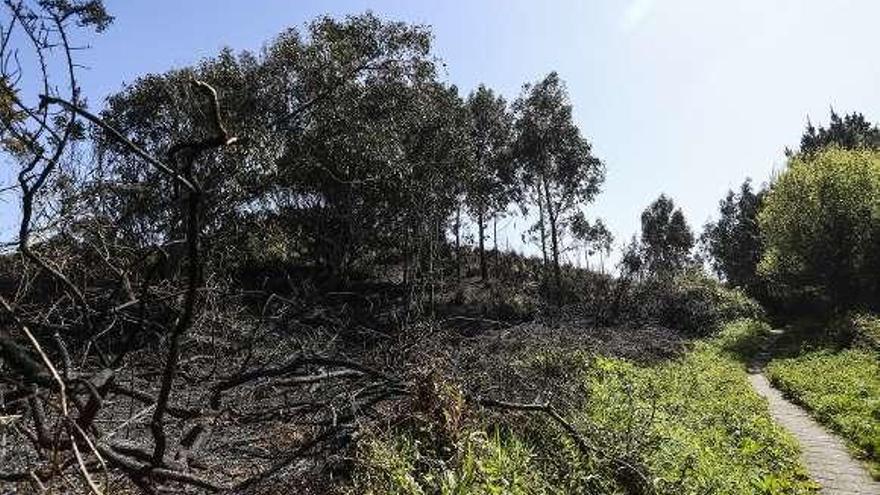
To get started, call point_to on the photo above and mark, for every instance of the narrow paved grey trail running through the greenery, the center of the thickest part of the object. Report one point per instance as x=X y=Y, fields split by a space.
x=825 y=454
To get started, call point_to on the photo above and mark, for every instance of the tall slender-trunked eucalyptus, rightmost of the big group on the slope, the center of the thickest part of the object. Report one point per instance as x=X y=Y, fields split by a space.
x=559 y=168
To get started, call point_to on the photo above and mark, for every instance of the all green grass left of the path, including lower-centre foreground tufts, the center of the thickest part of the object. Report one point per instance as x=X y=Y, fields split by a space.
x=692 y=425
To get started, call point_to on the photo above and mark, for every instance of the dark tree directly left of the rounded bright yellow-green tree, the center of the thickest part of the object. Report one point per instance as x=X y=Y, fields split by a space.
x=733 y=242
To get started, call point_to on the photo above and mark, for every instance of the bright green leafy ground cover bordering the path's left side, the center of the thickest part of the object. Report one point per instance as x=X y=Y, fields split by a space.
x=700 y=426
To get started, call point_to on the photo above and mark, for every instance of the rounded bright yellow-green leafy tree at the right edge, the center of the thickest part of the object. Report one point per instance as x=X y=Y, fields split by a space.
x=821 y=226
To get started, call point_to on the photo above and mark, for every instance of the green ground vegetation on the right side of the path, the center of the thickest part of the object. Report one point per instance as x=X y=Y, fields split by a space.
x=841 y=388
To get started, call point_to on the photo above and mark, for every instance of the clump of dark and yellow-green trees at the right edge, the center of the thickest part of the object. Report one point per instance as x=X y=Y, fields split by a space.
x=809 y=241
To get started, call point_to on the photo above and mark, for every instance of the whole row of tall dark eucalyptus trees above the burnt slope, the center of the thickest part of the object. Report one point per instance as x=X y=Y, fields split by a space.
x=356 y=155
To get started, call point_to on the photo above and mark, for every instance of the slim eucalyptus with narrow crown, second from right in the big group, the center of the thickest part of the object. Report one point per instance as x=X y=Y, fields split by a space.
x=492 y=183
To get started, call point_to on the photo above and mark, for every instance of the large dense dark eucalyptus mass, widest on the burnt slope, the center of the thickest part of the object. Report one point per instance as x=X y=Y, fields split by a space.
x=325 y=112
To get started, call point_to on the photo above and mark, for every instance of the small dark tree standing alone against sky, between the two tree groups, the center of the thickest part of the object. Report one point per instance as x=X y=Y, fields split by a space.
x=666 y=237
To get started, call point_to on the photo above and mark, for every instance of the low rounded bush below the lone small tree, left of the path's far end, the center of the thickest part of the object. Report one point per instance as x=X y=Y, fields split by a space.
x=695 y=304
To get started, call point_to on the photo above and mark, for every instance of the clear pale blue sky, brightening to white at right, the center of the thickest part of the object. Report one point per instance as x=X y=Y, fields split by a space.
x=686 y=97
